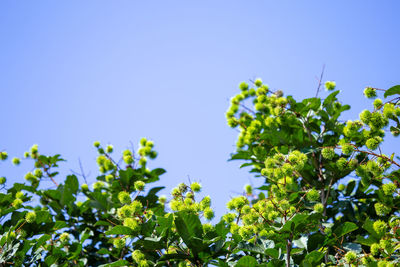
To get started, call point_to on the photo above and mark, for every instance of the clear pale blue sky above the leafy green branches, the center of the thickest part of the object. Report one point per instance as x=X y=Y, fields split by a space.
x=72 y=72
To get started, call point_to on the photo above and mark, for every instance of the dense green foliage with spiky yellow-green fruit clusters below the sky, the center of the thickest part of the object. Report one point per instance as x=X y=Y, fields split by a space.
x=330 y=196
